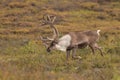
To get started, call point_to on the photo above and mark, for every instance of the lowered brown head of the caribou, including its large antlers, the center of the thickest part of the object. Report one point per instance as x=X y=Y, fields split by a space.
x=50 y=43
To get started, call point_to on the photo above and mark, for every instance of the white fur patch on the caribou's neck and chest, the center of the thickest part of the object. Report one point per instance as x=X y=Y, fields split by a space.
x=64 y=43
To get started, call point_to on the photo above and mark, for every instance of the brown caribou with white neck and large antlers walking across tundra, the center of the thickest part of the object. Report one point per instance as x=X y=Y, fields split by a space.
x=70 y=41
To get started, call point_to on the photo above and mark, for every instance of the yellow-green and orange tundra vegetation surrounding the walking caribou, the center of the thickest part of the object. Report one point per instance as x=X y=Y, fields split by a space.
x=24 y=57
